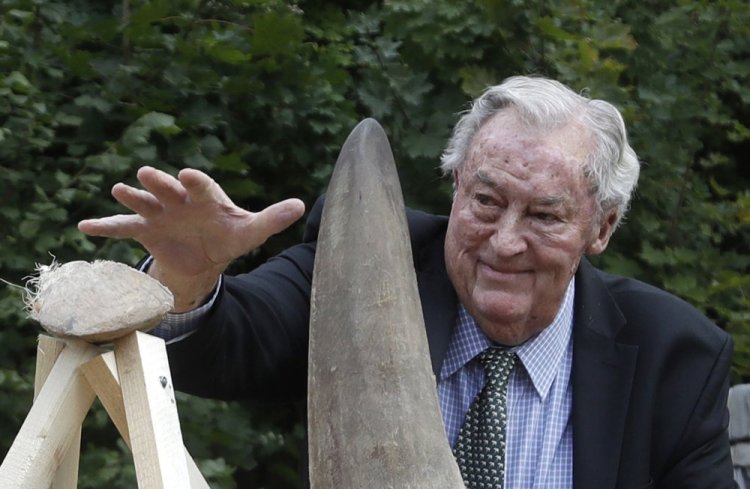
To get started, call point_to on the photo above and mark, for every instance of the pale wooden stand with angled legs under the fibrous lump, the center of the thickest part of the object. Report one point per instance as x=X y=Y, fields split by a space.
x=133 y=384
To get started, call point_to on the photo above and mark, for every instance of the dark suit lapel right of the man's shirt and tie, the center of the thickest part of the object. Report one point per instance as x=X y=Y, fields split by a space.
x=602 y=379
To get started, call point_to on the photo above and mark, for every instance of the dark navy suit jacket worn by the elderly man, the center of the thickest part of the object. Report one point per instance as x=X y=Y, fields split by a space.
x=650 y=373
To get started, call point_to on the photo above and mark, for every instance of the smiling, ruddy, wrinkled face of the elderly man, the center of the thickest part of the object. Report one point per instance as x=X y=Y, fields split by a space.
x=522 y=217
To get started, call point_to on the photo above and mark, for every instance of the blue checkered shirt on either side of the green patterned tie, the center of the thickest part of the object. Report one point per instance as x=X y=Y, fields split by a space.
x=540 y=433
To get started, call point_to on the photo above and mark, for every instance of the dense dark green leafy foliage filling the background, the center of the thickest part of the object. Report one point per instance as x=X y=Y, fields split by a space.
x=261 y=93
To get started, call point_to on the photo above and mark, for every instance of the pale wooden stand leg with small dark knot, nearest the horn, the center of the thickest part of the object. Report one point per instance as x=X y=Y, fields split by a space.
x=151 y=412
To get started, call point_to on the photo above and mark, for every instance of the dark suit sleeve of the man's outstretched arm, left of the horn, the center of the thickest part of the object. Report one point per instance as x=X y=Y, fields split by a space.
x=252 y=344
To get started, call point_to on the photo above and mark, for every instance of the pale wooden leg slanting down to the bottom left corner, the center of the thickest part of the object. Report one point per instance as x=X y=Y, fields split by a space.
x=52 y=423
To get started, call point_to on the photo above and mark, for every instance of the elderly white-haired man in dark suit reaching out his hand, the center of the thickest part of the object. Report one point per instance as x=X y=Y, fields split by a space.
x=606 y=382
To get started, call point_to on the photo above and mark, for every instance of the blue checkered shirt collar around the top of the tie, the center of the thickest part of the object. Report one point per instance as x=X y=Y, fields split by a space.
x=540 y=355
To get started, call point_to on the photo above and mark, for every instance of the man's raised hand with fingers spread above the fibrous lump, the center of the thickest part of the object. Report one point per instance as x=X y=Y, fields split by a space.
x=191 y=227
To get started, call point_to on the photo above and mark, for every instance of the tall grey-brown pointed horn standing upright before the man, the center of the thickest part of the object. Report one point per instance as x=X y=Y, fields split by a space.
x=373 y=414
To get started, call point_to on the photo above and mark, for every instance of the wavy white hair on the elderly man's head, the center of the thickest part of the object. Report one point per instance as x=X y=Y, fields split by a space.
x=612 y=168
